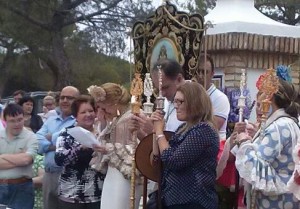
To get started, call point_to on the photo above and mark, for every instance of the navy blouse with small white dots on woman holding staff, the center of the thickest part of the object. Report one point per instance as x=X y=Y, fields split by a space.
x=189 y=167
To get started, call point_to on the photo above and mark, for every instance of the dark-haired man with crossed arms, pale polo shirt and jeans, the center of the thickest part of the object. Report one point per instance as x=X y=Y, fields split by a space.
x=18 y=146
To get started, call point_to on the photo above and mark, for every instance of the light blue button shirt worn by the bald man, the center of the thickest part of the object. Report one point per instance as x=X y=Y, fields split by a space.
x=52 y=125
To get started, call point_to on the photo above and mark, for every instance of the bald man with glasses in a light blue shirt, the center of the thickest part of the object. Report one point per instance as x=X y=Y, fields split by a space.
x=47 y=136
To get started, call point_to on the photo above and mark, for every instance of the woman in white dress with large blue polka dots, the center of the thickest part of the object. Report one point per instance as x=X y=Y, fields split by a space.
x=267 y=163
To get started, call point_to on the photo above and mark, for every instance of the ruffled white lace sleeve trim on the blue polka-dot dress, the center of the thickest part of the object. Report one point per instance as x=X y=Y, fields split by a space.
x=260 y=175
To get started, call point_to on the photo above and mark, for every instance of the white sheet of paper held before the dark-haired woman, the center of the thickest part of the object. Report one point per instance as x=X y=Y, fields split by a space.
x=83 y=136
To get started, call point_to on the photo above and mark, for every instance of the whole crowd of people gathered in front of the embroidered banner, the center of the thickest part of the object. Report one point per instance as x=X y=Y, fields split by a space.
x=44 y=165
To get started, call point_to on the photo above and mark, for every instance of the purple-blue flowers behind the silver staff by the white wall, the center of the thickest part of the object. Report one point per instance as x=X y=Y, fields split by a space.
x=233 y=94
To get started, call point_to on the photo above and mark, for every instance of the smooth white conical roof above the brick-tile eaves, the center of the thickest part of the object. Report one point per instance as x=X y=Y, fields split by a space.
x=242 y=16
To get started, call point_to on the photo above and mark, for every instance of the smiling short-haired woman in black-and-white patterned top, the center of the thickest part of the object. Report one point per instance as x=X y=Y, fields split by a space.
x=79 y=185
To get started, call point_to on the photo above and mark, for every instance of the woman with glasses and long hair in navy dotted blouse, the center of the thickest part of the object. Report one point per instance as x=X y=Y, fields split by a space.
x=190 y=157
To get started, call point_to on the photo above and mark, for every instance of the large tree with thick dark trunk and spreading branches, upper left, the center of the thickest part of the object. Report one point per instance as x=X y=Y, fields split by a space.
x=44 y=26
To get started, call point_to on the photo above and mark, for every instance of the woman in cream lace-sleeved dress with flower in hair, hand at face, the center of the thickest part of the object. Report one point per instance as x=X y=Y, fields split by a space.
x=116 y=157
